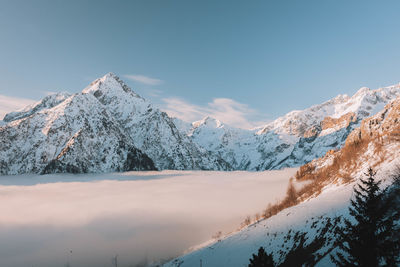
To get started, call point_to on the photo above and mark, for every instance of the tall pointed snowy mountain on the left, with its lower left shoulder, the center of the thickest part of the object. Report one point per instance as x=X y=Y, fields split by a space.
x=107 y=127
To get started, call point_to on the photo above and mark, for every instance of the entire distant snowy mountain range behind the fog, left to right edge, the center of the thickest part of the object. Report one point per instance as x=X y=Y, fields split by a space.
x=108 y=127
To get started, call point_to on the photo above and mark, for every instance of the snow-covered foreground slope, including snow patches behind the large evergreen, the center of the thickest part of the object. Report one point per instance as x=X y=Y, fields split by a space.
x=277 y=234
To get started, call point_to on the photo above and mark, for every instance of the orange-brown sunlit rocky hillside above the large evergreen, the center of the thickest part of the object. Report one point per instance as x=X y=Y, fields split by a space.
x=375 y=142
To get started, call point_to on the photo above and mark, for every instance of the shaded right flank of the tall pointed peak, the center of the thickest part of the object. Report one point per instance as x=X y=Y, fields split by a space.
x=152 y=130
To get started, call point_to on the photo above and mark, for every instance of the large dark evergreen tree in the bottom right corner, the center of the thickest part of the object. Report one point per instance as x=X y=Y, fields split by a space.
x=370 y=240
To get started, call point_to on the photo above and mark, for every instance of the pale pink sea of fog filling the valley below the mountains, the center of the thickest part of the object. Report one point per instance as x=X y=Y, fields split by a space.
x=140 y=217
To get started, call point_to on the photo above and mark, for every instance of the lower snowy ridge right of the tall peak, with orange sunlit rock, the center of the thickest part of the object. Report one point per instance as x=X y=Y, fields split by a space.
x=294 y=139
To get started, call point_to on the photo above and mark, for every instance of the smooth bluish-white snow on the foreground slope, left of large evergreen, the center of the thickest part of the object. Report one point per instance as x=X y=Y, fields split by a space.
x=236 y=249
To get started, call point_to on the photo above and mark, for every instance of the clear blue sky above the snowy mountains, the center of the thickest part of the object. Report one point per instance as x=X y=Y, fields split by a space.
x=273 y=56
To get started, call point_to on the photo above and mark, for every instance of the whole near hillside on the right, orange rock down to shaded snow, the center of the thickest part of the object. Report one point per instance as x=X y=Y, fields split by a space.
x=311 y=225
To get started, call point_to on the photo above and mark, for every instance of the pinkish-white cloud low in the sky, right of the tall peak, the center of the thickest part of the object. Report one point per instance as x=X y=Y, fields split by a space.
x=226 y=110
